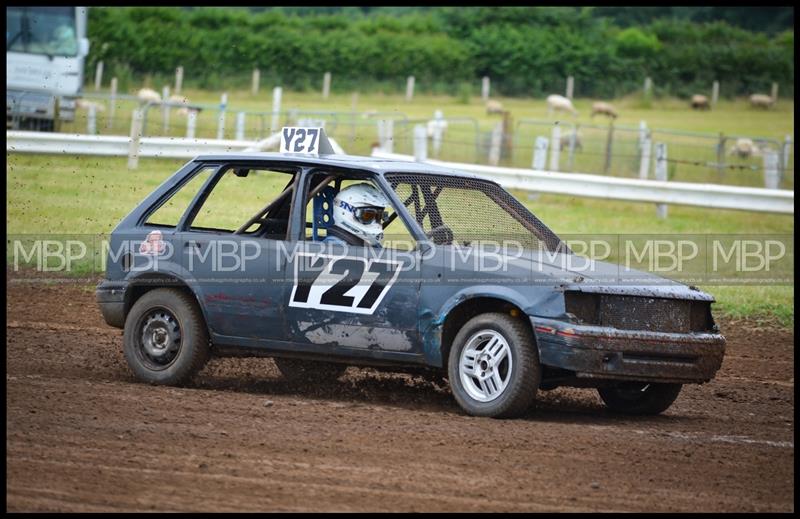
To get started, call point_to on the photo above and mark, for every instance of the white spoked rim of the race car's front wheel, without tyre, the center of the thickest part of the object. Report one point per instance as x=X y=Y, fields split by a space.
x=485 y=366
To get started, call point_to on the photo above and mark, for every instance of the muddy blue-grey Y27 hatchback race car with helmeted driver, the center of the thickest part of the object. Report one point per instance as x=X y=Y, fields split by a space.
x=321 y=261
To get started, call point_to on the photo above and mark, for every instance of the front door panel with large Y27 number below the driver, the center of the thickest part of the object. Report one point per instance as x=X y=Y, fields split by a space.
x=353 y=298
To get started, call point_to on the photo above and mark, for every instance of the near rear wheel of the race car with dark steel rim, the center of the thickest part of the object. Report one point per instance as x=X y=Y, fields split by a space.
x=165 y=338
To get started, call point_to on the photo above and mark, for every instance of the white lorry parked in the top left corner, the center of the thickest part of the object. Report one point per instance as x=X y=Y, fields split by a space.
x=46 y=48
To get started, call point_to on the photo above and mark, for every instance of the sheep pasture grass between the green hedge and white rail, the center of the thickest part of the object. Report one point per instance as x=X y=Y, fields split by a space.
x=468 y=134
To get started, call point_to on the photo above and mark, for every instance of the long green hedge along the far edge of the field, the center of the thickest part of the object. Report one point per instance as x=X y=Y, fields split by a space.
x=525 y=50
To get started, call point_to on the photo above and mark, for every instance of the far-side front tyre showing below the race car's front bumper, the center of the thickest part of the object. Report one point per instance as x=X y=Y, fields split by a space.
x=642 y=398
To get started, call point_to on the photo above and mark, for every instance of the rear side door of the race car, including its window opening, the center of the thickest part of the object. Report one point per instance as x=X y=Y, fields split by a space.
x=240 y=275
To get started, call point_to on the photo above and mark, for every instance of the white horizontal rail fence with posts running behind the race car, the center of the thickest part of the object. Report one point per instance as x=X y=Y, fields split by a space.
x=660 y=192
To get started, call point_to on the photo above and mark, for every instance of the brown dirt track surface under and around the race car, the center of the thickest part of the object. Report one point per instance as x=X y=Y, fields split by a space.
x=82 y=435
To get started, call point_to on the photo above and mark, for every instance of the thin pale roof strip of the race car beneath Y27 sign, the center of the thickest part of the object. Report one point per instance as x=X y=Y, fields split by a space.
x=375 y=165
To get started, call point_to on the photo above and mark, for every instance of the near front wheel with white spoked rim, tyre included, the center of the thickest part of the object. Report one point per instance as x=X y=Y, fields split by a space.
x=494 y=366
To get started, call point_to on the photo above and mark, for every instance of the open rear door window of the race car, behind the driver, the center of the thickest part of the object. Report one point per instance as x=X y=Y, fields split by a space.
x=259 y=198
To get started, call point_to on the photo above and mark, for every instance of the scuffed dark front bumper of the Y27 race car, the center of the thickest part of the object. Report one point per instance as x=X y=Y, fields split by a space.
x=609 y=353
